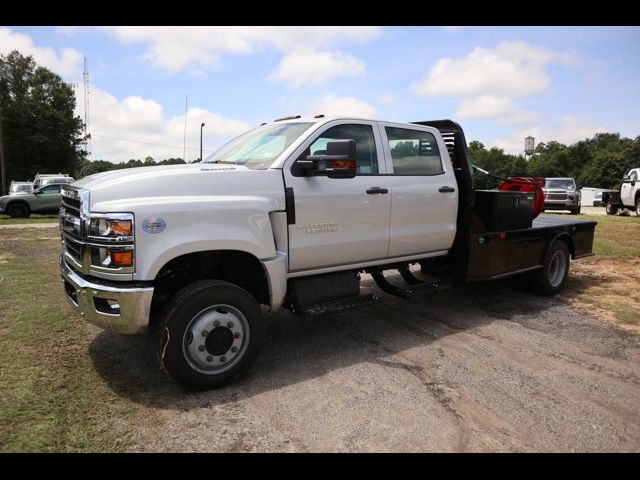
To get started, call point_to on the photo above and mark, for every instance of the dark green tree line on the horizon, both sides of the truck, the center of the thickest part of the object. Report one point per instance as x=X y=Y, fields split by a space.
x=39 y=133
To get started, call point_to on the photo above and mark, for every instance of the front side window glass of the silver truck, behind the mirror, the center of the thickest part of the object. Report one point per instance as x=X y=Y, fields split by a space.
x=365 y=145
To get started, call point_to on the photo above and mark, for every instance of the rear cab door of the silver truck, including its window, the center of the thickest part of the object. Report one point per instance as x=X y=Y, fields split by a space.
x=424 y=199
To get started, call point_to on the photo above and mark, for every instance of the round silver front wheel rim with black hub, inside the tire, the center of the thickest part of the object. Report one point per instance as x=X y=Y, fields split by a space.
x=215 y=339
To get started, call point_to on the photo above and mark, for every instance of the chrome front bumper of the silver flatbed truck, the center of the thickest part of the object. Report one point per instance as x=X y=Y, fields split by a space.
x=115 y=308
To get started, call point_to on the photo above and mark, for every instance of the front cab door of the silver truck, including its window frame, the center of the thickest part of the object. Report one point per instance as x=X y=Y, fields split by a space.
x=339 y=221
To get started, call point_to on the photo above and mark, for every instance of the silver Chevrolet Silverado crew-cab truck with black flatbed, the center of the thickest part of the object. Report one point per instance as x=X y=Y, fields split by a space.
x=289 y=215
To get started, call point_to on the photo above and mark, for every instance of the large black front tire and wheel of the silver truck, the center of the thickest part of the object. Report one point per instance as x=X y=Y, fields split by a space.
x=209 y=332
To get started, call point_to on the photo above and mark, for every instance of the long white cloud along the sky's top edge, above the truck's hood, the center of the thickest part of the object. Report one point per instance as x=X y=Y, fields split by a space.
x=178 y=48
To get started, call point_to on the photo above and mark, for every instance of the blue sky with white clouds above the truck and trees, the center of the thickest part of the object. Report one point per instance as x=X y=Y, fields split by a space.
x=500 y=83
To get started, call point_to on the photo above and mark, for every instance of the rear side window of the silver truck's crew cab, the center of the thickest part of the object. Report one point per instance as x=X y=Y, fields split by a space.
x=413 y=152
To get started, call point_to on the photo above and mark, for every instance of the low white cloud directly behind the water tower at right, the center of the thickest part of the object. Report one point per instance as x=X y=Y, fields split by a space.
x=568 y=130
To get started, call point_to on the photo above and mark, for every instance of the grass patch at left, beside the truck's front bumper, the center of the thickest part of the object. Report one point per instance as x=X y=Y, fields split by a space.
x=51 y=397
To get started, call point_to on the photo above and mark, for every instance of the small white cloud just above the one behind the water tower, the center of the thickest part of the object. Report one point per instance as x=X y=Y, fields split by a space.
x=503 y=109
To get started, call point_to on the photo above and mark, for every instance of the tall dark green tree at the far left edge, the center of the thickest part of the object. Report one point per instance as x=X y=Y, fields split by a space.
x=41 y=133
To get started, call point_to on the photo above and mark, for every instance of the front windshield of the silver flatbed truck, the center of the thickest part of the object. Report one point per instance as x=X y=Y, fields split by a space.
x=258 y=148
